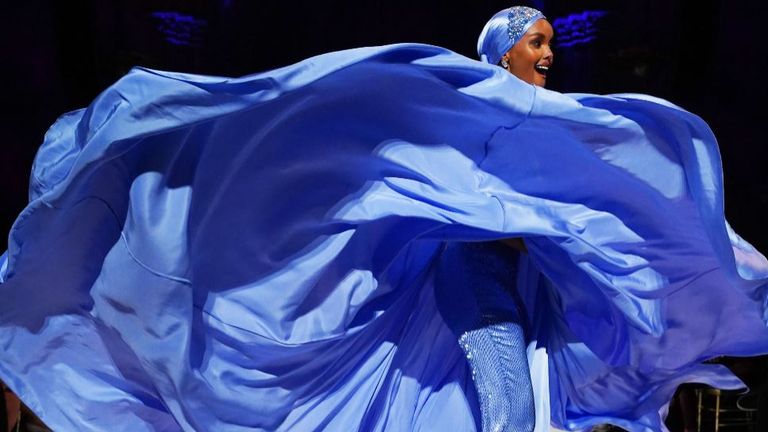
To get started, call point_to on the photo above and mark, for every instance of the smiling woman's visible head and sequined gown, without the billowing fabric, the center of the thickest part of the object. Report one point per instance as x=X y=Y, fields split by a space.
x=489 y=318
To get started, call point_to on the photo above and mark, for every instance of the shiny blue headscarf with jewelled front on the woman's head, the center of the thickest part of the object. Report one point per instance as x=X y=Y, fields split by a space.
x=503 y=31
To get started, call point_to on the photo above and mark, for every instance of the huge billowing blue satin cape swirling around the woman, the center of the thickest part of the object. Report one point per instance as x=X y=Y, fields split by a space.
x=260 y=253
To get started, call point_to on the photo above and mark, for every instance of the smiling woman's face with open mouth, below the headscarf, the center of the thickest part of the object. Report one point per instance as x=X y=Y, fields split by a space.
x=530 y=58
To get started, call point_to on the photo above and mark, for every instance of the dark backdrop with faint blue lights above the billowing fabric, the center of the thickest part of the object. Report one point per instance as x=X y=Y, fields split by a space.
x=708 y=56
